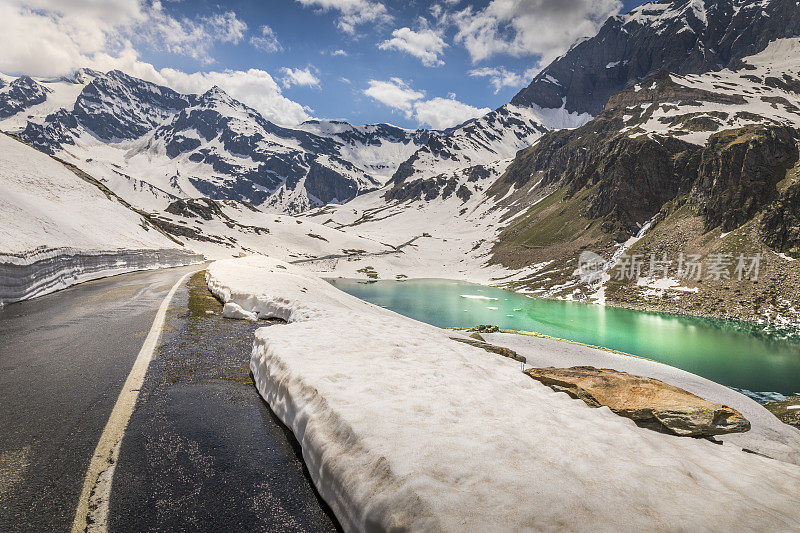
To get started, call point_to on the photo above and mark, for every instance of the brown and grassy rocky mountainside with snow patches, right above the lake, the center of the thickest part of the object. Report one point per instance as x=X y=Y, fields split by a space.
x=702 y=164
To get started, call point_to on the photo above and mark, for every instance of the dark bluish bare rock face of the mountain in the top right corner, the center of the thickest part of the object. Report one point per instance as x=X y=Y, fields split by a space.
x=669 y=36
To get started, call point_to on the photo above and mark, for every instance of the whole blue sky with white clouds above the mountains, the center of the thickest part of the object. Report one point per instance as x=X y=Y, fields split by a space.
x=412 y=63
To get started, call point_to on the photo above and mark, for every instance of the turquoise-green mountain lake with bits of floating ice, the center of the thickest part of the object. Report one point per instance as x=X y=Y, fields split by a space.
x=728 y=352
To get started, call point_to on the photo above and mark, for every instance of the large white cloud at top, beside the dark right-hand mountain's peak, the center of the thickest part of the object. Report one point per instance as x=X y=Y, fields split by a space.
x=546 y=28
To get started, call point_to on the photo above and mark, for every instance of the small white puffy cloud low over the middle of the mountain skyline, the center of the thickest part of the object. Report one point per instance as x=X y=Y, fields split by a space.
x=437 y=112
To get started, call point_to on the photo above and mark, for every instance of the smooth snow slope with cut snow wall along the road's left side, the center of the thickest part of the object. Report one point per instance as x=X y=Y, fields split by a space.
x=58 y=228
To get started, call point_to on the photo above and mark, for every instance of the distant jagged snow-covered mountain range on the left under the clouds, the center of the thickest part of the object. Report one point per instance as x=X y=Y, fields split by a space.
x=153 y=145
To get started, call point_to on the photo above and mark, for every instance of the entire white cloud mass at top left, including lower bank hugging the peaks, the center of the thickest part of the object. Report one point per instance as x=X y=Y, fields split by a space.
x=44 y=38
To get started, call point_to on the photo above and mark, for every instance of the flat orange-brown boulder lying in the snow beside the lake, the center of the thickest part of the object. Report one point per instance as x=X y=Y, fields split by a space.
x=650 y=403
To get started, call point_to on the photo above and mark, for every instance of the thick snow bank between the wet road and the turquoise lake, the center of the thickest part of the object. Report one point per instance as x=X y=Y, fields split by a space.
x=403 y=428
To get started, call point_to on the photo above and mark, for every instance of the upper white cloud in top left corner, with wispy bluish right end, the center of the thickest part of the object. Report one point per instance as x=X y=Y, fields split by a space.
x=50 y=38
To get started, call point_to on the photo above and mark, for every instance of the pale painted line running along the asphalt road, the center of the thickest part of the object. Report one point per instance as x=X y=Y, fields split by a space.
x=92 y=512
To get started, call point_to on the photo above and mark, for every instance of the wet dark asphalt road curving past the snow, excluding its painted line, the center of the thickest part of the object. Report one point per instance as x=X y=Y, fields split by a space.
x=63 y=359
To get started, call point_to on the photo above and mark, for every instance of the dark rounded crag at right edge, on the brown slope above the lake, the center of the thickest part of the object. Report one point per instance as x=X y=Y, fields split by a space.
x=739 y=171
